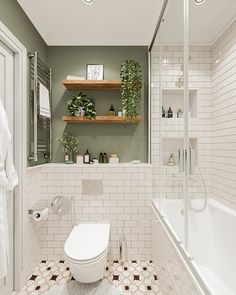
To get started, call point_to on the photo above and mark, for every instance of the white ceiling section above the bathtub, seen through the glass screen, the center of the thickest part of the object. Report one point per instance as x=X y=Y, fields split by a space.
x=206 y=21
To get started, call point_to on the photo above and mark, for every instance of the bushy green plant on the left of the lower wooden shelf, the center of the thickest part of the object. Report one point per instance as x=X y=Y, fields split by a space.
x=81 y=100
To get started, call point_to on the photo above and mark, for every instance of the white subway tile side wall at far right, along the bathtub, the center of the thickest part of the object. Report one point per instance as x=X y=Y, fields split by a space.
x=224 y=118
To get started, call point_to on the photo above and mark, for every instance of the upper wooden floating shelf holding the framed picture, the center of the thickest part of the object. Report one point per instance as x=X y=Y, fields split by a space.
x=92 y=84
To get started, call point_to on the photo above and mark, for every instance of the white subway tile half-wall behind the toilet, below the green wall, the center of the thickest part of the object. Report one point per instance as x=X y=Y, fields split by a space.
x=123 y=200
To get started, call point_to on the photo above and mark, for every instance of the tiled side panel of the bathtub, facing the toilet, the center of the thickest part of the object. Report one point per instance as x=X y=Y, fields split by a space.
x=173 y=276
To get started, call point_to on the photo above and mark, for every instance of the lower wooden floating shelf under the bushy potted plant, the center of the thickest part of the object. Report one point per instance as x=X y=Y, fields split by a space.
x=100 y=120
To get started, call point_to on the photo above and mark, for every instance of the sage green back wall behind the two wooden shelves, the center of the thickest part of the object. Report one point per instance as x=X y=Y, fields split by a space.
x=130 y=143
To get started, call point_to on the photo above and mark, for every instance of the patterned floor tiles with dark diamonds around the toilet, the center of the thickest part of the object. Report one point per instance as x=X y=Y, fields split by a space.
x=131 y=278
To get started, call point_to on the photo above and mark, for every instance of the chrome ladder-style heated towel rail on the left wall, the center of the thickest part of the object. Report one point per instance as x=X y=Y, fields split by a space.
x=40 y=133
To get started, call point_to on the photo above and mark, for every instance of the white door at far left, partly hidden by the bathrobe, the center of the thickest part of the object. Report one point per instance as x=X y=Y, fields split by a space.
x=7 y=96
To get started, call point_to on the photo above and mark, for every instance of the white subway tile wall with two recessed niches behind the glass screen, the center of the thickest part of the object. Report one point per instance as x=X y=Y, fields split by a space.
x=172 y=129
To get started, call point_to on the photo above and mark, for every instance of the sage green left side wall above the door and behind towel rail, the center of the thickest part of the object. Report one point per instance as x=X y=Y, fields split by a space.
x=15 y=19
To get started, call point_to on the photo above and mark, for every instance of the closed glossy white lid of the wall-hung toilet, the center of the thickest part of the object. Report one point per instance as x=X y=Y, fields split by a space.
x=87 y=241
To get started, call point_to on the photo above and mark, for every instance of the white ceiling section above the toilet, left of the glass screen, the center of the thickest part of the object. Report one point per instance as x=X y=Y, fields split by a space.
x=106 y=22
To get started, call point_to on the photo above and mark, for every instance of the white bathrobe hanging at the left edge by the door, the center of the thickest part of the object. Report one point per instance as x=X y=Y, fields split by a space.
x=8 y=180
